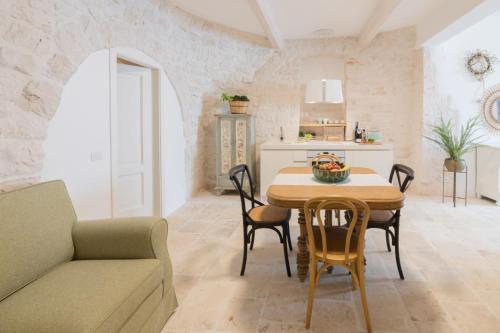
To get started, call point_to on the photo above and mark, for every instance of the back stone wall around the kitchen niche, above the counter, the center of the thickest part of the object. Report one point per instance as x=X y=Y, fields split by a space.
x=383 y=89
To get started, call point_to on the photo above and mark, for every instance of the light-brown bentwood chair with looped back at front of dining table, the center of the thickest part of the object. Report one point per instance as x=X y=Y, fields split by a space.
x=336 y=245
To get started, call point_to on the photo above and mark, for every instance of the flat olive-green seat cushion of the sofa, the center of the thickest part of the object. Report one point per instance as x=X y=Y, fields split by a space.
x=82 y=296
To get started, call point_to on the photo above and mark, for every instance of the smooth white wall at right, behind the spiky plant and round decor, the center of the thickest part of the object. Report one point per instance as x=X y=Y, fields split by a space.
x=450 y=90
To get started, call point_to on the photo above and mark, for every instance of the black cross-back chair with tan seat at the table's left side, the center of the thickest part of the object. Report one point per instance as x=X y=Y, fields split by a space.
x=259 y=216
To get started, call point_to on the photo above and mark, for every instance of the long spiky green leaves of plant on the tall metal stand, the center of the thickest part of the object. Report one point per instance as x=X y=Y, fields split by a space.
x=457 y=145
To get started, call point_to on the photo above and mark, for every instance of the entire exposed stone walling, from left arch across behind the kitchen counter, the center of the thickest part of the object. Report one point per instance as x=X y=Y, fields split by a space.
x=43 y=42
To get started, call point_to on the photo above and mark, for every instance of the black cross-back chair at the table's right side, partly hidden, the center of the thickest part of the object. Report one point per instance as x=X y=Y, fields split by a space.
x=384 y=219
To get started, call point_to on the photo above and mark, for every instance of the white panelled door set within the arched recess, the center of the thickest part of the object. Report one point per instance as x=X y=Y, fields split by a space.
x=133 y=195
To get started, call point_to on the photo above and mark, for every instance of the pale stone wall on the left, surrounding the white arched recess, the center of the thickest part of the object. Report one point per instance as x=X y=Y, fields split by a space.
x=43 y=42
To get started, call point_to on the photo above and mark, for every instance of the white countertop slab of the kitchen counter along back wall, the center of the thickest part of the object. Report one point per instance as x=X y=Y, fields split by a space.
x=326 y=145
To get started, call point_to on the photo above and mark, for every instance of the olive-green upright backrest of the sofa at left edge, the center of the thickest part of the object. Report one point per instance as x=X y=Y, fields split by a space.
x=35 y=233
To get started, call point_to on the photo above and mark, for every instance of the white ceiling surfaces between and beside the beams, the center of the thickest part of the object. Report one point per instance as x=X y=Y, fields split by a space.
x=301 y=18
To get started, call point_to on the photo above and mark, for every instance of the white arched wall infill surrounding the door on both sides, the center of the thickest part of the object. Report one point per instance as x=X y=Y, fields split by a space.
x=78 y=145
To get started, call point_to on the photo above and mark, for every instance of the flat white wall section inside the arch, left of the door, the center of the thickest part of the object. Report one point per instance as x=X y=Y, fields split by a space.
x=80 y=127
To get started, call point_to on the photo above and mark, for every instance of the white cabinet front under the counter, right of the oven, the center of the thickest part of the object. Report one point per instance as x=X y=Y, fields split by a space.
x=379 y=160
